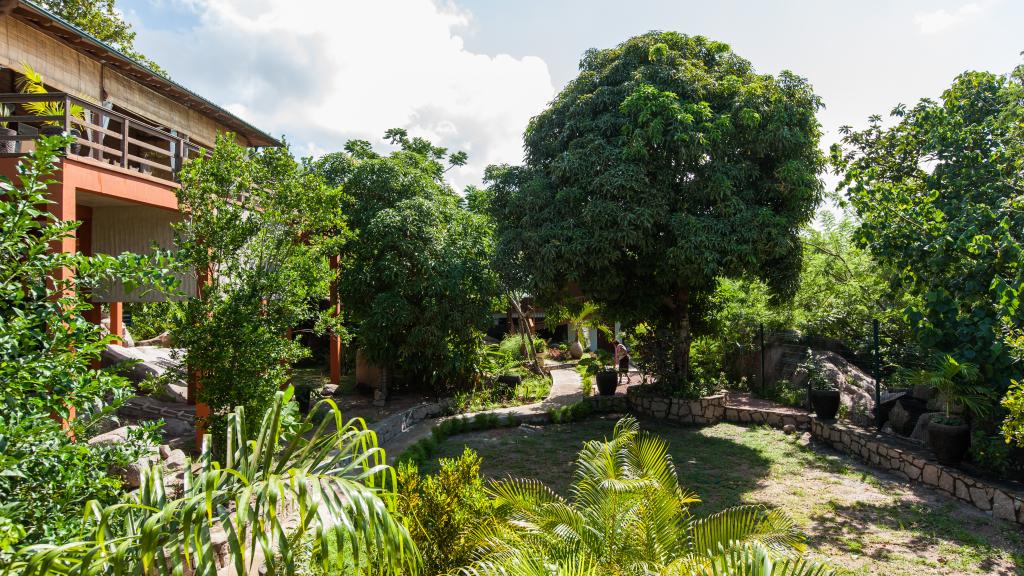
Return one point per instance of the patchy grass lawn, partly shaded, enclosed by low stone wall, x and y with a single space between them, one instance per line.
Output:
862 521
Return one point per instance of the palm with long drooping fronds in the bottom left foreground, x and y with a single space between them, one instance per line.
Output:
328 486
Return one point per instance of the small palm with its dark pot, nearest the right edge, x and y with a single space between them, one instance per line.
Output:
950 435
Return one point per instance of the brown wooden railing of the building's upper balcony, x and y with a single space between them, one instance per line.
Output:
101 135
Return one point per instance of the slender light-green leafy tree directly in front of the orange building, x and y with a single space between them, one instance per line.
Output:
257 221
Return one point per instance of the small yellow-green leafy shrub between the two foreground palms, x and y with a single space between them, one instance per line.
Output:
444 511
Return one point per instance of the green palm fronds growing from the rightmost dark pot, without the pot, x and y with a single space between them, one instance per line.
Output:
956 382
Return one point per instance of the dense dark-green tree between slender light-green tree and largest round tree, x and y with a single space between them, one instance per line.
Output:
418 281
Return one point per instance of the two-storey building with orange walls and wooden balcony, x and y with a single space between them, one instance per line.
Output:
135 129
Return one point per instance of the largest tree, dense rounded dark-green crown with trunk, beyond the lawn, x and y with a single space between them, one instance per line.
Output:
668 163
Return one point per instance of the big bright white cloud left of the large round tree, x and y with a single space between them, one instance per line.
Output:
323 73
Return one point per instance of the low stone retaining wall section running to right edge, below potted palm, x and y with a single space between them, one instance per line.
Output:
917 466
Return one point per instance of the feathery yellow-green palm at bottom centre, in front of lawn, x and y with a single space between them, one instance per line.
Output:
629 516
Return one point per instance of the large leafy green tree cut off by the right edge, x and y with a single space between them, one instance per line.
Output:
940 198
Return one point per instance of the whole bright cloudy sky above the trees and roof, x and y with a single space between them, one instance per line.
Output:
471 74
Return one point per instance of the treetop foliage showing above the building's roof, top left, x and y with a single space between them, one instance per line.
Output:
103 20
